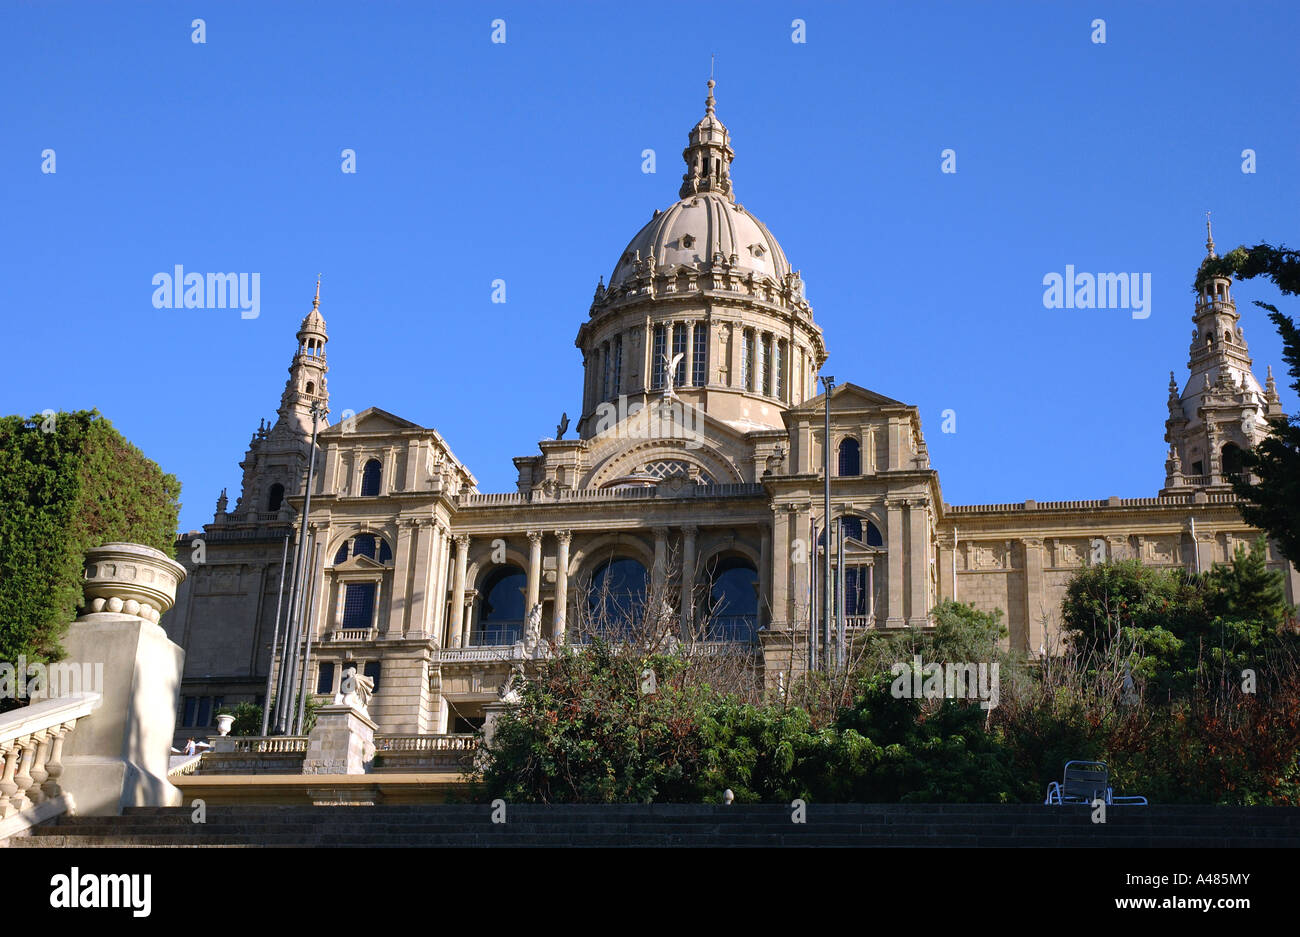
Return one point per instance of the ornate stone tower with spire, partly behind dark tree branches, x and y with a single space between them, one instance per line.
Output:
1221 410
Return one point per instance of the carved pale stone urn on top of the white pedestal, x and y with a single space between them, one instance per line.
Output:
131 579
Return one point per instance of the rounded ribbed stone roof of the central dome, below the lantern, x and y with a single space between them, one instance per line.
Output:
695 232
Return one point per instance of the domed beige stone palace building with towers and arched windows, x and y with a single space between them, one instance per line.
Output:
692 493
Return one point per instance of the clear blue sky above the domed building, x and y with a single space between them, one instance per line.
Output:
523 162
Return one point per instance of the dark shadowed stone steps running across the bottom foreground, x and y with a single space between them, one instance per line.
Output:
678 826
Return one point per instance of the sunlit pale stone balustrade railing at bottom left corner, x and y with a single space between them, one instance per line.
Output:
32 748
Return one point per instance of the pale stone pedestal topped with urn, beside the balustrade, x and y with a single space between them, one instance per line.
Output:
120 757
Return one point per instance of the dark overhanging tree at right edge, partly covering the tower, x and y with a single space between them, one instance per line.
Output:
1273 502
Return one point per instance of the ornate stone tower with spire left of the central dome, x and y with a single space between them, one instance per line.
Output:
276 462
